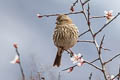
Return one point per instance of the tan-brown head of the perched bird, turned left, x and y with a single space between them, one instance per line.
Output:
63 19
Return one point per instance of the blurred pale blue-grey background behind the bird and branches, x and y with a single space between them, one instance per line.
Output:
19 23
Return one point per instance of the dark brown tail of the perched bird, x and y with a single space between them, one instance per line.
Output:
57 61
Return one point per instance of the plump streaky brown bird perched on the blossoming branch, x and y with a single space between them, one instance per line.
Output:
65 36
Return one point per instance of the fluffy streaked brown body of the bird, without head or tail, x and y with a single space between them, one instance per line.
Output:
65 36
